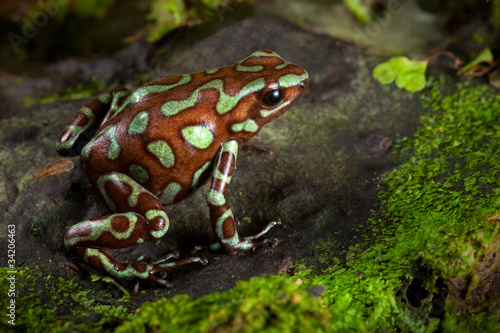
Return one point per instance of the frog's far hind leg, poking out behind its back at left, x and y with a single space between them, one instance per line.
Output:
87 120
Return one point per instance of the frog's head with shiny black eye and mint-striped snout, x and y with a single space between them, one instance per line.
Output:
273 86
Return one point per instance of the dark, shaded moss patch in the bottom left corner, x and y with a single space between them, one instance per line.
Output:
63 305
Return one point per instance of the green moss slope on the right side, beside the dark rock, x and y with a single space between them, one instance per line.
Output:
433 215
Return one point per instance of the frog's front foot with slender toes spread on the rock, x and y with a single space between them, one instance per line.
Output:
245 243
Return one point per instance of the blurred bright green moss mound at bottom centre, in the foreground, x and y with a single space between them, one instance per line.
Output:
262 304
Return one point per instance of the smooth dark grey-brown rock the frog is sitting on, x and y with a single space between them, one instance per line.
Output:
322 179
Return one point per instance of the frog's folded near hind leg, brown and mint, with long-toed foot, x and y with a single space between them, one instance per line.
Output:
139 217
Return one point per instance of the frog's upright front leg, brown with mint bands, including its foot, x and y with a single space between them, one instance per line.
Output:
221 217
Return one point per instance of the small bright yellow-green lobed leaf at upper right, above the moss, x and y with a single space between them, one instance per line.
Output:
409 74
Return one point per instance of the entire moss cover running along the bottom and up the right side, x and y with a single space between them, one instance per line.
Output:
432 227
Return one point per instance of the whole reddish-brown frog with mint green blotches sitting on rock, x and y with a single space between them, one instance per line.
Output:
158 144
